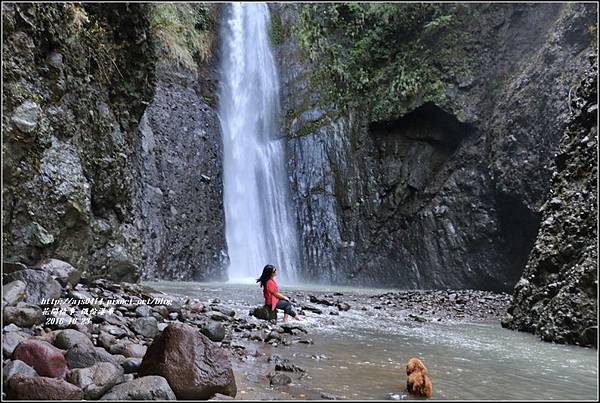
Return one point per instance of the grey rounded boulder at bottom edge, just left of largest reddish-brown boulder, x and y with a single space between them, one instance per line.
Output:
145 388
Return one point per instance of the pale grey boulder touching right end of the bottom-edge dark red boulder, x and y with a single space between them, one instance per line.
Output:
96 380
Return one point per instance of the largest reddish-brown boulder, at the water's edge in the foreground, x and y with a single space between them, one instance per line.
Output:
194 366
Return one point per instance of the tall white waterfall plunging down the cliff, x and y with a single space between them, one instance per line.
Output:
258 222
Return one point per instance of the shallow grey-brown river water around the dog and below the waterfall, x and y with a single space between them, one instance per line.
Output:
362 354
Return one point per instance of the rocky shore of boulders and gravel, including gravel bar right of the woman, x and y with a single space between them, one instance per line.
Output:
68 337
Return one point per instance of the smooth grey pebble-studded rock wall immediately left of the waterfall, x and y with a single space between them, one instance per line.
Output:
179 192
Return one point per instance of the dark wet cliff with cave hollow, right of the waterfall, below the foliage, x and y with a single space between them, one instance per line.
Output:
447 195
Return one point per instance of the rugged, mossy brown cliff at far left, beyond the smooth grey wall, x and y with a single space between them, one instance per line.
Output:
68 129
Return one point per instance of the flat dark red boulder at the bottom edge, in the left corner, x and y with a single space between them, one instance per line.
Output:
42 388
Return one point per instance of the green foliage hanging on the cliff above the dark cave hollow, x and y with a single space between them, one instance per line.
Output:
374 55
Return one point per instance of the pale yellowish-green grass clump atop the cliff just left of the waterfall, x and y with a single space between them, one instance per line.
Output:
184 31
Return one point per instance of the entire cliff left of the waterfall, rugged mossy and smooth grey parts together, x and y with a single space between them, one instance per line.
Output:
109 178
